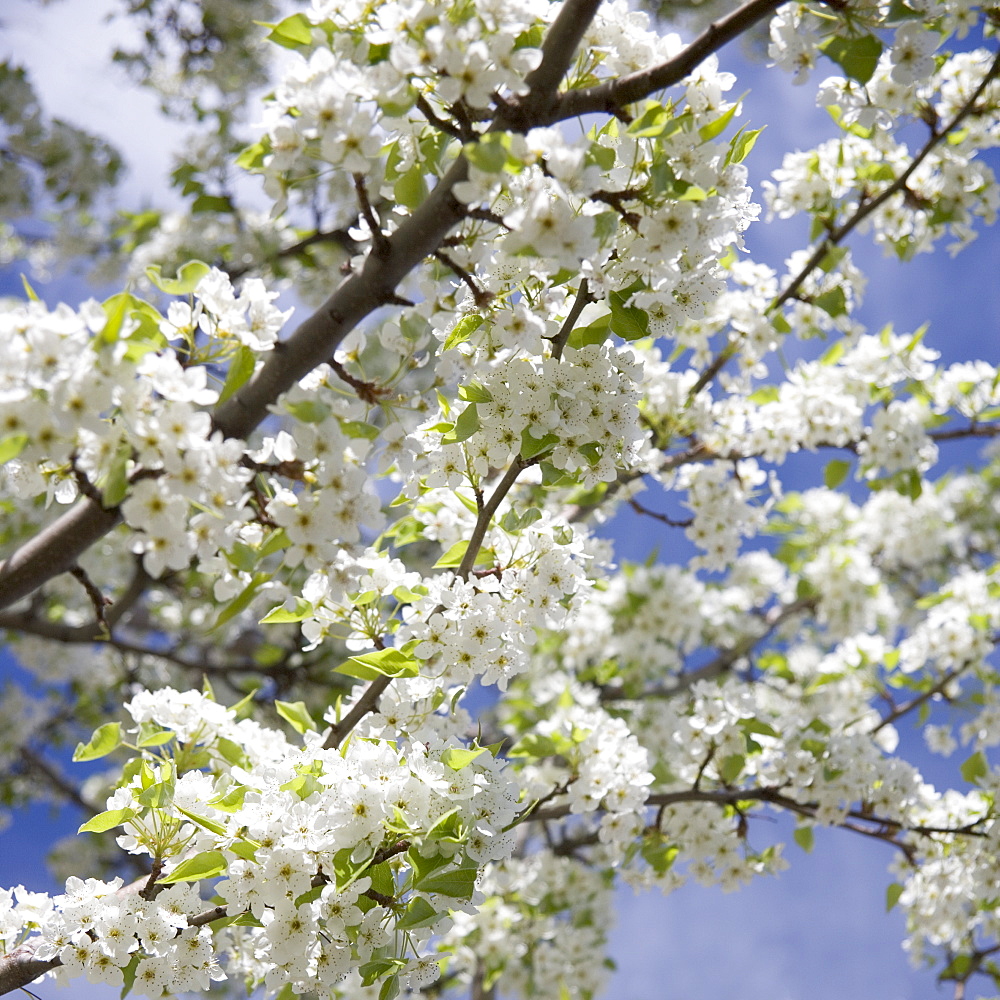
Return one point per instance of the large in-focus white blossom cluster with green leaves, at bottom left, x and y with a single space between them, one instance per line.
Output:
332 858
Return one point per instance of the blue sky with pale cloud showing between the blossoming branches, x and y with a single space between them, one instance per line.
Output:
819 931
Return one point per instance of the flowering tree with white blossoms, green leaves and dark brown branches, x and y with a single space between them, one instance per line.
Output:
381 712
